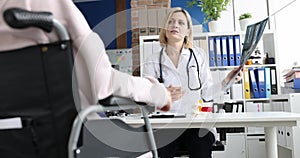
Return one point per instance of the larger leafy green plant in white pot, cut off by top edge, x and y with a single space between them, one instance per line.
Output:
212 9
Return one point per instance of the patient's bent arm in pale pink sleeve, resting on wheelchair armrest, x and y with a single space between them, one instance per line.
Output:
98 80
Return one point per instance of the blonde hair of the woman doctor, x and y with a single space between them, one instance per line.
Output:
162 36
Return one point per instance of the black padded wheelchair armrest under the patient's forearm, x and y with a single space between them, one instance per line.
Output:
118 101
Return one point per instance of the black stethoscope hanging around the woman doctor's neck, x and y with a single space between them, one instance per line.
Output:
161 79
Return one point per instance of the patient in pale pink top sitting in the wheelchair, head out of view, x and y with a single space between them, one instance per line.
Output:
97 79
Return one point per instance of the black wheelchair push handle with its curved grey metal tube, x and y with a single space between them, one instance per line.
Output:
19 18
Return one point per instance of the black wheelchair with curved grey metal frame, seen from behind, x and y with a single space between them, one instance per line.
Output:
38 89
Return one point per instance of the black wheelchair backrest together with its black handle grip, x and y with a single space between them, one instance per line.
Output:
36 85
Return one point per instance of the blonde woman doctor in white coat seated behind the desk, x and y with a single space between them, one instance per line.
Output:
184 70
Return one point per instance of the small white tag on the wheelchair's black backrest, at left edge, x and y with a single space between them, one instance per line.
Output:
11 123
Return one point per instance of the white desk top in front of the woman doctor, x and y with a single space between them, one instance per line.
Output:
204 120
